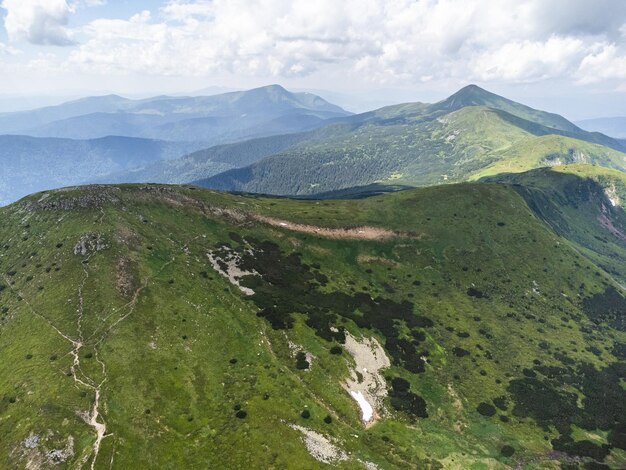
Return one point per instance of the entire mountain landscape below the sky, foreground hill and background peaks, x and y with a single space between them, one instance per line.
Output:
419 286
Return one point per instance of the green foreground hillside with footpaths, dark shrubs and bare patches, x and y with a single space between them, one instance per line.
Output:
125 343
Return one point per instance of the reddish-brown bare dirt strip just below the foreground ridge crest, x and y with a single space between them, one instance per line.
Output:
355 233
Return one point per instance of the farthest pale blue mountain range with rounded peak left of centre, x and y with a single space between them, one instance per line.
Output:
215 119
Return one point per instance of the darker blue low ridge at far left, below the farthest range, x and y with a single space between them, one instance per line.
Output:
31 164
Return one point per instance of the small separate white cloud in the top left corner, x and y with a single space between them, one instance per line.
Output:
41 22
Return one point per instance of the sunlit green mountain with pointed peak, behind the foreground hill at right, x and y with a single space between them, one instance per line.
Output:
471 134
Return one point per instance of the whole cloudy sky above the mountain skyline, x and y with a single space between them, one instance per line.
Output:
566 56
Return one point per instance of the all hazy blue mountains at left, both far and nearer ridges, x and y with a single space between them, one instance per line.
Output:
91 138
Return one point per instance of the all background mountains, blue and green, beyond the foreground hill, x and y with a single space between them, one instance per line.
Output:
272 141
